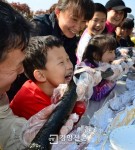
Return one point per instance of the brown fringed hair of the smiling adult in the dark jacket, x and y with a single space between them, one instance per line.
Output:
84 8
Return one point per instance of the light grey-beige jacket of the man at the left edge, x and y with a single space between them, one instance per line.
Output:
10 127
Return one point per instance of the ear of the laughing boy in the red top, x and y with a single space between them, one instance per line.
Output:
39 75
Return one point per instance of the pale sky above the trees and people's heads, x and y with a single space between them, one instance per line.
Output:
46 4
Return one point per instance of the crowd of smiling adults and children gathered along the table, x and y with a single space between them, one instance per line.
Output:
38 55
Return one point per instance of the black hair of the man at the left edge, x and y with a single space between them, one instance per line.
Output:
14 30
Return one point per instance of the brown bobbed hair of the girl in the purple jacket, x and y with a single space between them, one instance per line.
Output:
97 46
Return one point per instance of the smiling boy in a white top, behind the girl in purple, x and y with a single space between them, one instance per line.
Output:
94 26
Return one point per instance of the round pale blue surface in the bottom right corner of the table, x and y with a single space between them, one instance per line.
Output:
123 138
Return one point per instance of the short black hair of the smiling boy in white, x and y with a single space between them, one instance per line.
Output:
100 8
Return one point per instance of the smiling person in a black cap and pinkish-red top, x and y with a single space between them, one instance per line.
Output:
116 12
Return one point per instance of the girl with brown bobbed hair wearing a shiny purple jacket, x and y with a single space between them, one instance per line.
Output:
100 49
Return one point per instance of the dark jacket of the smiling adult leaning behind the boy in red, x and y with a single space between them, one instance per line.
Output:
47 25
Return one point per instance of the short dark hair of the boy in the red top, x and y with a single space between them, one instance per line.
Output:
36 53
